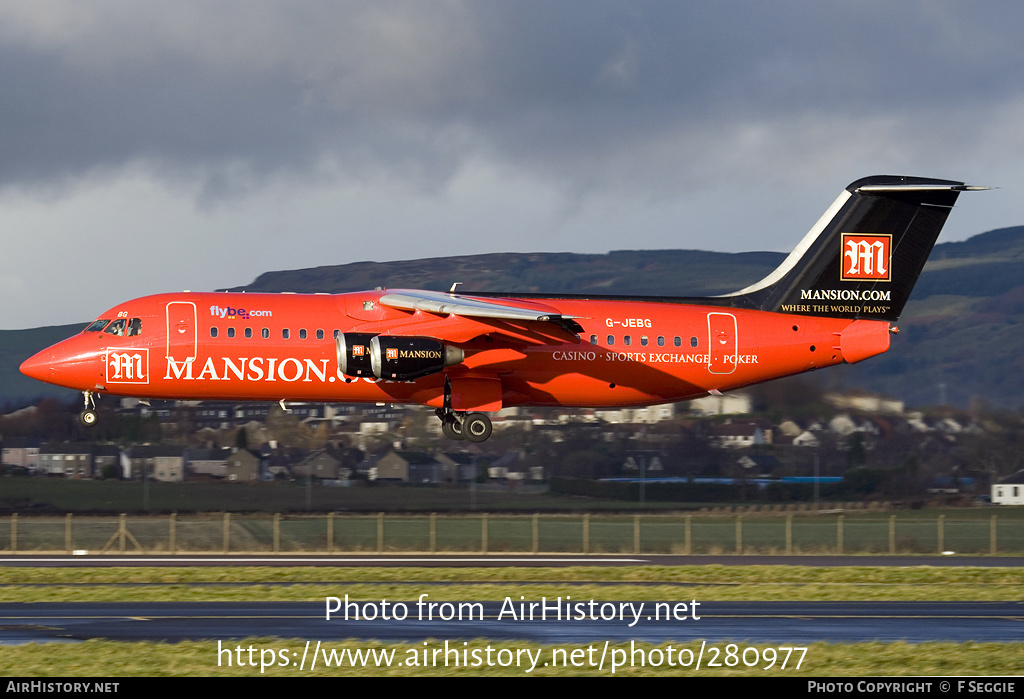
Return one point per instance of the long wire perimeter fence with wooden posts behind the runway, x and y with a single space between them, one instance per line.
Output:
485 534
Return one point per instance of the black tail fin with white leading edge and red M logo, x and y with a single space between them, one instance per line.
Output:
866 253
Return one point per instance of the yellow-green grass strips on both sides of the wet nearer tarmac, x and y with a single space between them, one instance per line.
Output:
630 584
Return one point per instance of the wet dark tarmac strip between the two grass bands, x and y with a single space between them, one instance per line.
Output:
775 623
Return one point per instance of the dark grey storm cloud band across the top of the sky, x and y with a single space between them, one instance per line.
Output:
409 91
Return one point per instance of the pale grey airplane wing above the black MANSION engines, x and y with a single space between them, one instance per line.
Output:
454 304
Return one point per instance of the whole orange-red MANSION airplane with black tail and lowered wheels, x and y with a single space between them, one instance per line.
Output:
833 300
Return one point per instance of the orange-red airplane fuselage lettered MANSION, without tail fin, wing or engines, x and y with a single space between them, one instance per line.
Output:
282 347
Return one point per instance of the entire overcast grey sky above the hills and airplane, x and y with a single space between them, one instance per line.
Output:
148 148
